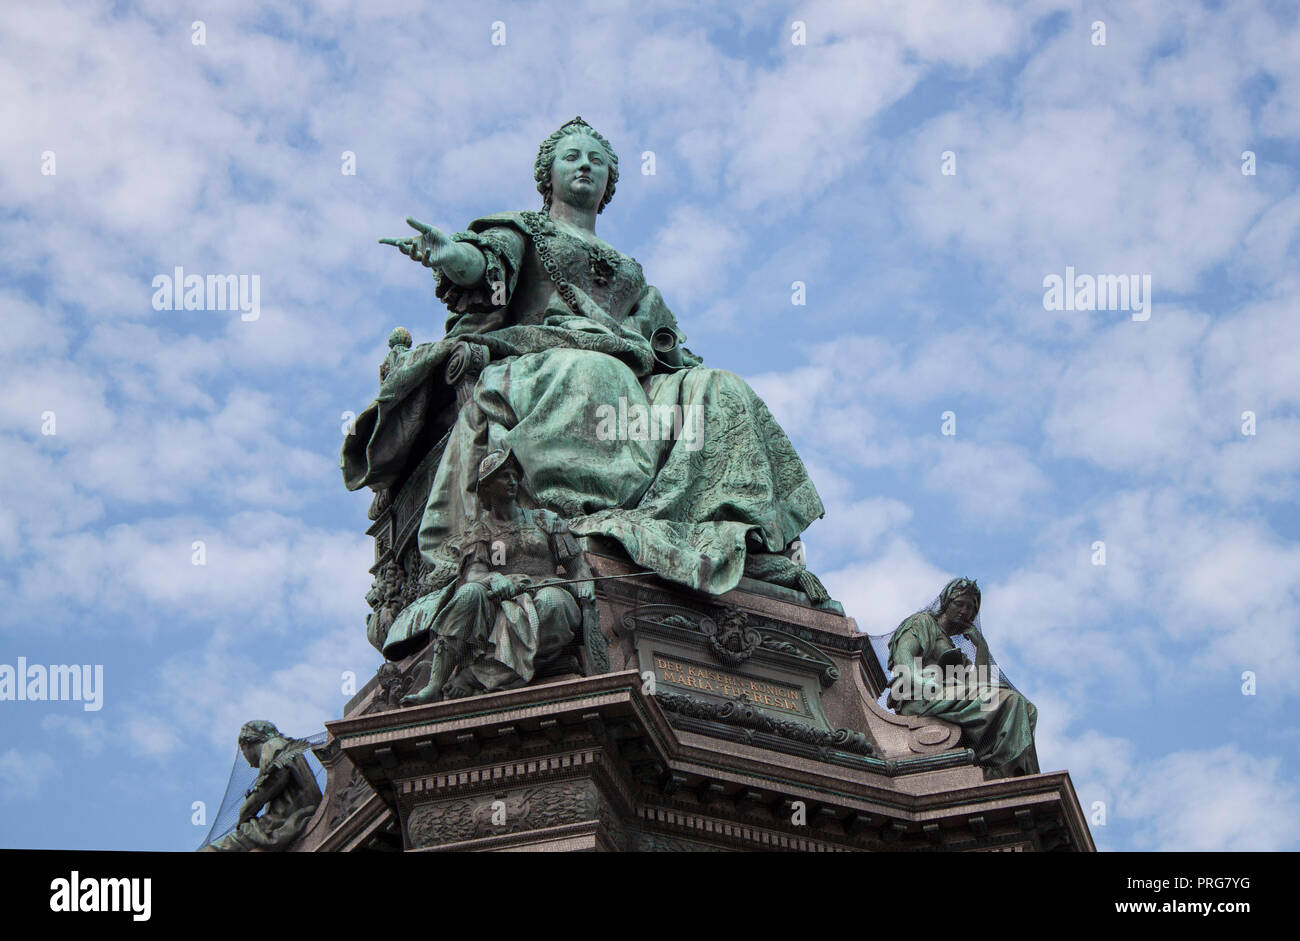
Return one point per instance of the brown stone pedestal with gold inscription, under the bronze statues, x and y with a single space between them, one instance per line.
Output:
735 723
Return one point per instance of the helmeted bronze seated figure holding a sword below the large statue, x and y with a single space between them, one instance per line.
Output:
501 621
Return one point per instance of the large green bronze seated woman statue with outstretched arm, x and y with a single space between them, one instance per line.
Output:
618 428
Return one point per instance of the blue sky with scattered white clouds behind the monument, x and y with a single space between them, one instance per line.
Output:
774 163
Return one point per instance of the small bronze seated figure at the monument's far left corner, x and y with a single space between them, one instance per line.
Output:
285 793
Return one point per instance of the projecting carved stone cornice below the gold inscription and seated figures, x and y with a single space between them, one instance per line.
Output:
658 784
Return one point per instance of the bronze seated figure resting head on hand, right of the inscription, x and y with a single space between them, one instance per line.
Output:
934 678
